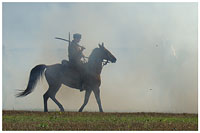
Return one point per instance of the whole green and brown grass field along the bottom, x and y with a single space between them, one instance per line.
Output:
29 120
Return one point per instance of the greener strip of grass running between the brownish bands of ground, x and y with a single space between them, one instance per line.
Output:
96 118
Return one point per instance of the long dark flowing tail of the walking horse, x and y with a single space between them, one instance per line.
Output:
35 75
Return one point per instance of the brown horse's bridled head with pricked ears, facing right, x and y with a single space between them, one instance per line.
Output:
106 55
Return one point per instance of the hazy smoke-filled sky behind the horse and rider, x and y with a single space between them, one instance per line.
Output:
155 45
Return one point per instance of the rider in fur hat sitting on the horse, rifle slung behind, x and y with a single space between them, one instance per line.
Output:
75 54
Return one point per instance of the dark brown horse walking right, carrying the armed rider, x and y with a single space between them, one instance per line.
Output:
65 73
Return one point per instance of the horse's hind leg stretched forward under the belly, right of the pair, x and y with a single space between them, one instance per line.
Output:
52 94
